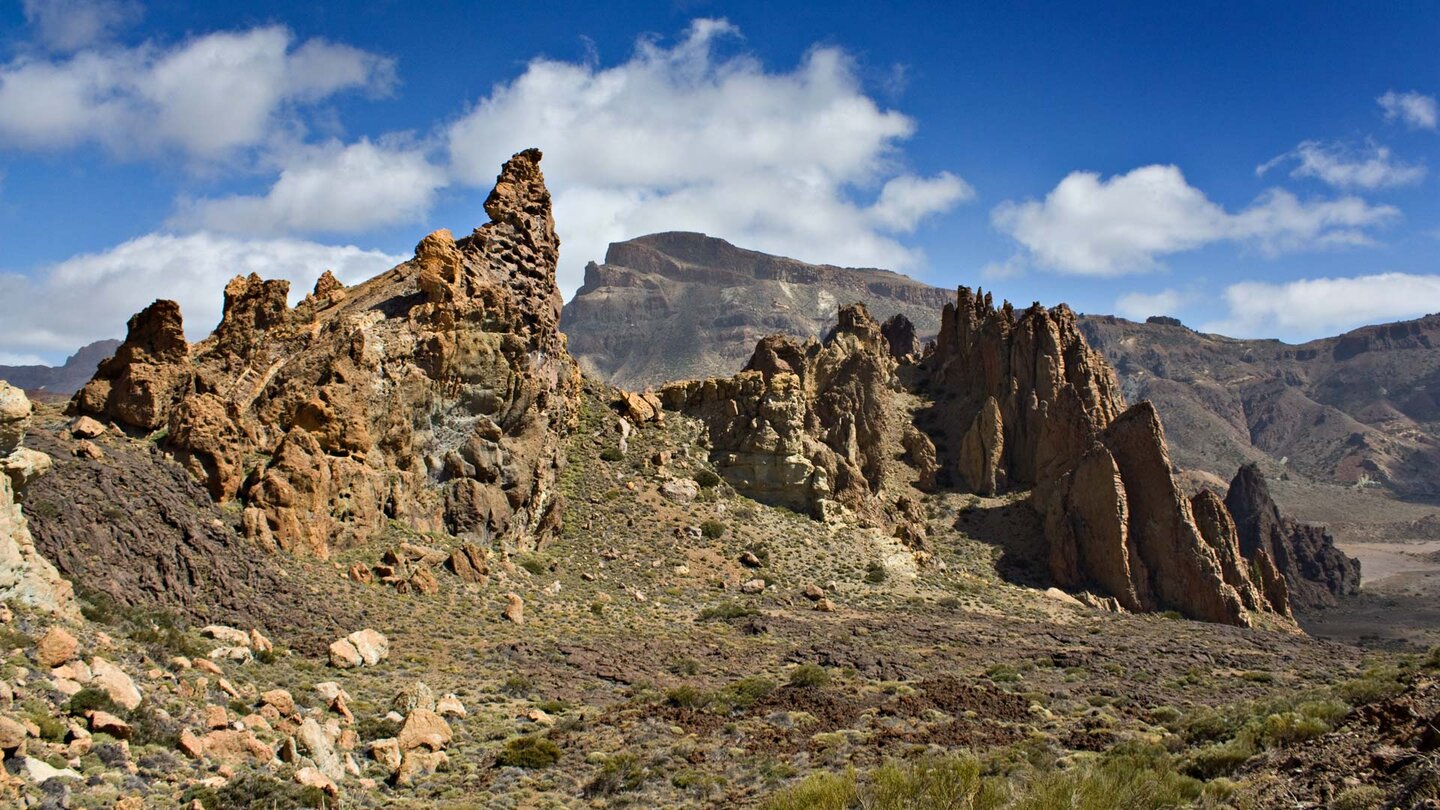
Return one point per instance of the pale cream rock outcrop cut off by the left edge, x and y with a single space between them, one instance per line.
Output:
27 576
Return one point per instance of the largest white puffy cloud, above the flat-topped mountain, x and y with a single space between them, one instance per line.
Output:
683 138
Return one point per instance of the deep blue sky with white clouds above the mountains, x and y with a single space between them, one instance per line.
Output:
1258 169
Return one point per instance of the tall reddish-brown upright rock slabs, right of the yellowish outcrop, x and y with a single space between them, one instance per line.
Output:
1022 401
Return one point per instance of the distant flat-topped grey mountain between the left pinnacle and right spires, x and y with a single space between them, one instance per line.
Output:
688 306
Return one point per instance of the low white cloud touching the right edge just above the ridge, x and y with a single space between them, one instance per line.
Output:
1324 306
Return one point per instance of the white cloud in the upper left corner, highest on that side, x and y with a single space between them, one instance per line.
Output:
207 97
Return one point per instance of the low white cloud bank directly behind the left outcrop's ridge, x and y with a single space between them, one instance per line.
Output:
91 296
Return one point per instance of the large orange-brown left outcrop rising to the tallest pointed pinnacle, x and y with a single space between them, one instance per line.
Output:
436 394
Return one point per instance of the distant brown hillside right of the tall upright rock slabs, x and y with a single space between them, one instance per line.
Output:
1363 407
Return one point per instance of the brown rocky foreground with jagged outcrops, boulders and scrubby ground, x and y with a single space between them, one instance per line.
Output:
516 587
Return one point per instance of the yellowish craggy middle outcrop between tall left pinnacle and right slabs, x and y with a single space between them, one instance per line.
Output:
807 426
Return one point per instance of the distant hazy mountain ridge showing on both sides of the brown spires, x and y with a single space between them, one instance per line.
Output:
1360 407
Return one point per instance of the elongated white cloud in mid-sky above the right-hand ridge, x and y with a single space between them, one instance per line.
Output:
1107 227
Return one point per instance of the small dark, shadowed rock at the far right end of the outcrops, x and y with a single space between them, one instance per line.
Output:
1314 570
